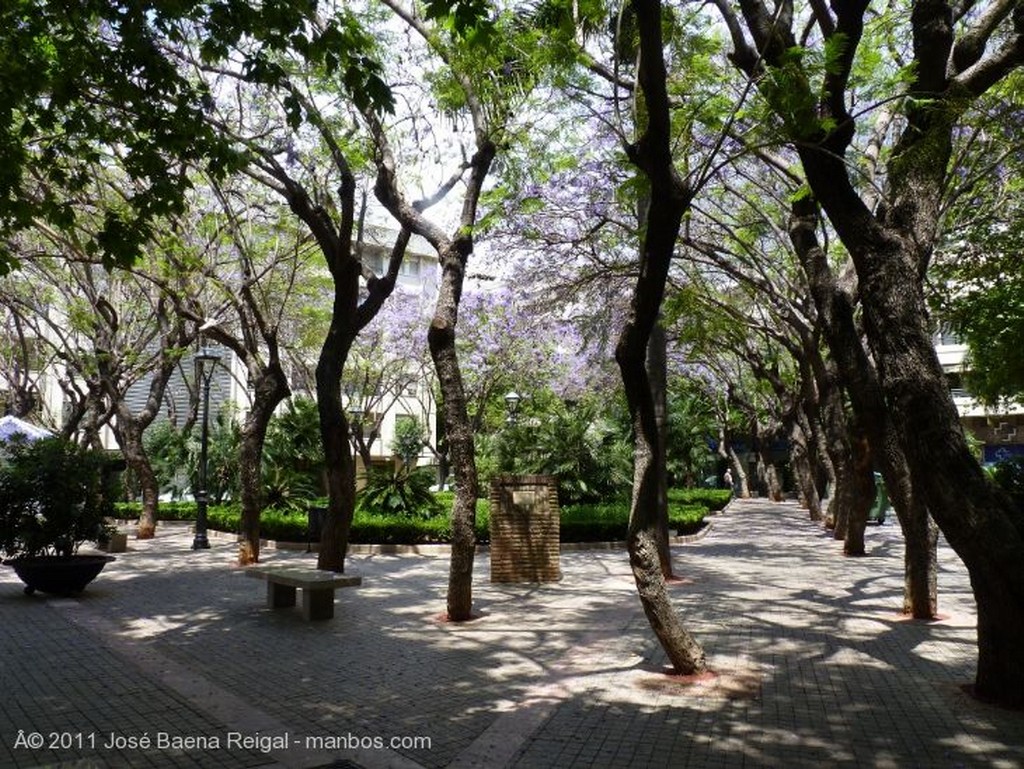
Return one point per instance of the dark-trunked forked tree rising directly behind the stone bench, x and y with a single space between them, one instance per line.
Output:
311 83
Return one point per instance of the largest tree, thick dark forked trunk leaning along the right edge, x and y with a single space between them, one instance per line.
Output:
891 244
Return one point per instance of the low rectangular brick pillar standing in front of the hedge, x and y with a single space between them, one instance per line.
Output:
525 529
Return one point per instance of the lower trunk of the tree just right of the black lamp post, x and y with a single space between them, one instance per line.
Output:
272 389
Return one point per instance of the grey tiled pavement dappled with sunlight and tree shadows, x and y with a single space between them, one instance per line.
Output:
170 660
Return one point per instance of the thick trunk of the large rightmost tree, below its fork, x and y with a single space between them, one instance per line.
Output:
976 518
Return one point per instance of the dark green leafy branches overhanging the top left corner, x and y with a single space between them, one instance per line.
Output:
94 84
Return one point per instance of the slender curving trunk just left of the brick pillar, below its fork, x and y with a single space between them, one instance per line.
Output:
458 432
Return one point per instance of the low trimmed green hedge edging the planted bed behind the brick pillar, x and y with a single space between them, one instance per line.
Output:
582 523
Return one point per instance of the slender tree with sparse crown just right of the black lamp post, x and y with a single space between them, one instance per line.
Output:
234 277
